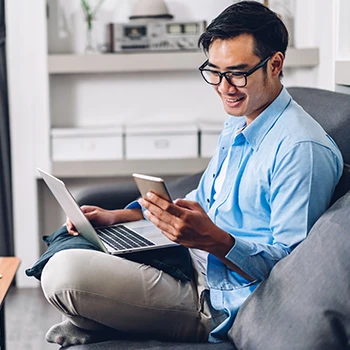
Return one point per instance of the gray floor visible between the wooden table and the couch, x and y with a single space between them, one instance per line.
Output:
28 317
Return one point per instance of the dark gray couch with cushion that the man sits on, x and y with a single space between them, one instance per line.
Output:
304 304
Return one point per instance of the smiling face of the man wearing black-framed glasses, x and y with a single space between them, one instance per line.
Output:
237 55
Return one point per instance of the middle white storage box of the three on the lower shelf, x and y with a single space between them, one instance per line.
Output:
161 141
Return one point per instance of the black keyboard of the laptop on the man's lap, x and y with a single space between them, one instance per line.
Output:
120 238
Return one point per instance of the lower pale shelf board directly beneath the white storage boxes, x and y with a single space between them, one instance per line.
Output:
127 167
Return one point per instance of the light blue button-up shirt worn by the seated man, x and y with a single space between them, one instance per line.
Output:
281 174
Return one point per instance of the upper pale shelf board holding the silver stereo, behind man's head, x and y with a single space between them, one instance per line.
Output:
160 61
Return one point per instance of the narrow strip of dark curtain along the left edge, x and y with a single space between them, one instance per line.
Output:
6 223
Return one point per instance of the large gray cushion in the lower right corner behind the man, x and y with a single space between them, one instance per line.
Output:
304 303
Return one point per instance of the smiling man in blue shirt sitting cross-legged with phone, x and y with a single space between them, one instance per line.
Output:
272 176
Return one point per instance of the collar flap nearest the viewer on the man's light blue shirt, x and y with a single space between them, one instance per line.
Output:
257 130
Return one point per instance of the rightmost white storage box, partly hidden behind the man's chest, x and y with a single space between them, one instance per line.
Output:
209 135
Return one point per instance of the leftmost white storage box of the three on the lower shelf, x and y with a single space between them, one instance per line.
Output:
76 144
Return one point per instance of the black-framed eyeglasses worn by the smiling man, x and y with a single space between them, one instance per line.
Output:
237 79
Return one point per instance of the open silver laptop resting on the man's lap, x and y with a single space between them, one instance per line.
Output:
116 239
